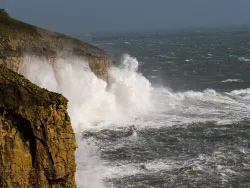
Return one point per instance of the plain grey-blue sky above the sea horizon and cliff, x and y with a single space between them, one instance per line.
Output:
85 16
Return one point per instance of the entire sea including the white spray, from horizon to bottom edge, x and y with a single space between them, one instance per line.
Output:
175 112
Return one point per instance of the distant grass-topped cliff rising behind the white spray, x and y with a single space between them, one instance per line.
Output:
18 38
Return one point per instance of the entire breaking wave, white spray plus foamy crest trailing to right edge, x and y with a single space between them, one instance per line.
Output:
129 99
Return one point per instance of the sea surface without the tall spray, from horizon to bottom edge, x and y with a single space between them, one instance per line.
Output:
202 137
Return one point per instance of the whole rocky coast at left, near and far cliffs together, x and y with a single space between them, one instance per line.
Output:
37 142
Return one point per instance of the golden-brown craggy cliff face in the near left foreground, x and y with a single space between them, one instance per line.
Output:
37 143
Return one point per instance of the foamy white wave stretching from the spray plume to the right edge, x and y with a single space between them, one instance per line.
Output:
199 106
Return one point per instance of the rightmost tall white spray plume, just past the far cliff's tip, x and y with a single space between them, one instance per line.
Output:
132 91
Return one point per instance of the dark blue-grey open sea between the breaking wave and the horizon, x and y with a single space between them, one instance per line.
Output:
188 59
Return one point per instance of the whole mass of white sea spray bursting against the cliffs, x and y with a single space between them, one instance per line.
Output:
92 102
